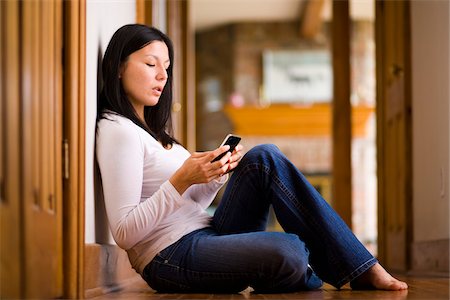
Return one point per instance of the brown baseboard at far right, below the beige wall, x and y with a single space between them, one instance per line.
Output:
430 258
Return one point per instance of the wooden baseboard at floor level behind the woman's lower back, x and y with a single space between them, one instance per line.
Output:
107 269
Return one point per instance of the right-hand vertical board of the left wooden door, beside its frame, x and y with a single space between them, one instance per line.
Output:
42 142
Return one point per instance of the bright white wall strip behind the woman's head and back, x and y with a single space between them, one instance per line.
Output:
103 18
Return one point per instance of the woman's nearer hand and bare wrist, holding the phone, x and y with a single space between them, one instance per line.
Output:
199 168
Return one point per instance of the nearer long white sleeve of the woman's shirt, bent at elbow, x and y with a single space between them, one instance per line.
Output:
120 154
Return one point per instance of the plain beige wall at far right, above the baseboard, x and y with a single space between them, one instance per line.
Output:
431 114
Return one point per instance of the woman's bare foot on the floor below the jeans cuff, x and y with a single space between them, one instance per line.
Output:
377 278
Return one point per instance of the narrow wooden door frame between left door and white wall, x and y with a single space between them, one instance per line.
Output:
74 133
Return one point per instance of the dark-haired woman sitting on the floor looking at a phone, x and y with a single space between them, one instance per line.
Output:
156 194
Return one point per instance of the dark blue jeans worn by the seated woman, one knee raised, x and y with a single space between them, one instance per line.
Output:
236 252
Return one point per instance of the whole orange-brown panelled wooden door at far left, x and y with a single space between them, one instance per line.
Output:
32 223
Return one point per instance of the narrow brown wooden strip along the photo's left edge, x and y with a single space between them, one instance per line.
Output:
11 226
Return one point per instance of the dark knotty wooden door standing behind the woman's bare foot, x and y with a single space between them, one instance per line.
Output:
394 132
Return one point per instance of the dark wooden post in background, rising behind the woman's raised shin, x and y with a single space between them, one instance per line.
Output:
342 176
